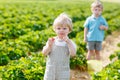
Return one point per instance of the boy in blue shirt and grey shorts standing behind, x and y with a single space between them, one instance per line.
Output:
94 28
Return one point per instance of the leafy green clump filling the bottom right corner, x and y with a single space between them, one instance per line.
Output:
111 72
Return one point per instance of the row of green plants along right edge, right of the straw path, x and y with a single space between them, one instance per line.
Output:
111 71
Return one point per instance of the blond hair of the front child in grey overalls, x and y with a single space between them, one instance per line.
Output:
63 20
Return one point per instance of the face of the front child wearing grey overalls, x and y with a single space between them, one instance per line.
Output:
62 31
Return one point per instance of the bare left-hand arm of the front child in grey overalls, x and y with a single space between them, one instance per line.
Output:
47 48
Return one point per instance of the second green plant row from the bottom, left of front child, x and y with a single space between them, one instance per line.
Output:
15 49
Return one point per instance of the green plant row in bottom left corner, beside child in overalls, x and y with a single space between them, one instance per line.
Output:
29 68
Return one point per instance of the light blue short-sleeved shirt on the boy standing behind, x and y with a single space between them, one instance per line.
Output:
94 32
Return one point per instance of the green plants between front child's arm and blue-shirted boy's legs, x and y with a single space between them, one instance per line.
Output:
79 61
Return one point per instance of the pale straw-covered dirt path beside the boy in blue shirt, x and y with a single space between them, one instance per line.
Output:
109 46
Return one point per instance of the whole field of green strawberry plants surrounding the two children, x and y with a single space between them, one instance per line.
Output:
25 27
